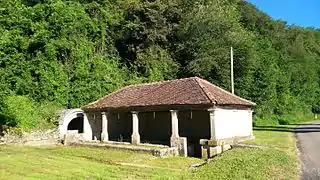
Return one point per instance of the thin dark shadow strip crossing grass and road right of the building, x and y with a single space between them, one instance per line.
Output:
302 128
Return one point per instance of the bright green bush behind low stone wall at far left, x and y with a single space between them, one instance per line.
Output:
24 114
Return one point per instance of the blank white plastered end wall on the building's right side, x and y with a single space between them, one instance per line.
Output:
231 123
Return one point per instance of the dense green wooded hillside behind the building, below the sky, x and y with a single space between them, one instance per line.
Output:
73 52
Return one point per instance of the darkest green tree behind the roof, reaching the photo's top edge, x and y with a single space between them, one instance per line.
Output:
146 30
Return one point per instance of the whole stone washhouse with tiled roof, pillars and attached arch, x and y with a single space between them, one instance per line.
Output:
192 114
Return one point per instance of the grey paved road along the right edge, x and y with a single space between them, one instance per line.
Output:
308 143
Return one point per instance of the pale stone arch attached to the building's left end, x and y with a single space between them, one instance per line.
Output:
70 115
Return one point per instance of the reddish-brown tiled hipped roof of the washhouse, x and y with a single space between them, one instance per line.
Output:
188 91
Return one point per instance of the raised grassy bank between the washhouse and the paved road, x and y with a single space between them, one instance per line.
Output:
279 162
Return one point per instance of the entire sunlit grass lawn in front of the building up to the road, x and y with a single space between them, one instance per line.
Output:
278 162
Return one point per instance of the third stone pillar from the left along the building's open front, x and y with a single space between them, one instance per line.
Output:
174 139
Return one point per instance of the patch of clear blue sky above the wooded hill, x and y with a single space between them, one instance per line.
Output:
304 13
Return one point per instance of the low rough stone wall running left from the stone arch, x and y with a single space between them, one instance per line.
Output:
34 138
